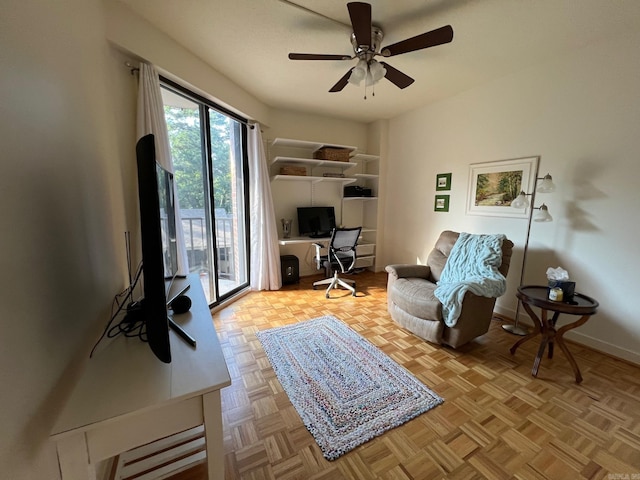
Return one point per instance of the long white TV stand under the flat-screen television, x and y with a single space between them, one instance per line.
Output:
126 397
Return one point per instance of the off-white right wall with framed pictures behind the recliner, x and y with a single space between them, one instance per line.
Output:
581 115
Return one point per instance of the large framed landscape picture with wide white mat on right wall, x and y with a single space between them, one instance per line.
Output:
494 185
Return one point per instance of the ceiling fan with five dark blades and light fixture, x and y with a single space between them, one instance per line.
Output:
366 39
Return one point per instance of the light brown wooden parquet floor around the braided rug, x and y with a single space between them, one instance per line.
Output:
497 421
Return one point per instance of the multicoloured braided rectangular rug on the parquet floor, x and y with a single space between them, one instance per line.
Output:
345 389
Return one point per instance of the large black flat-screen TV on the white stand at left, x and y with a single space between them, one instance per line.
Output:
158 235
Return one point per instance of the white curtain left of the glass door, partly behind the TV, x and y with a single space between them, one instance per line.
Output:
151 120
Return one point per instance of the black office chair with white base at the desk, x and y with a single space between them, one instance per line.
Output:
340 258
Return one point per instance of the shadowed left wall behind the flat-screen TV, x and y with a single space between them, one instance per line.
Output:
63 221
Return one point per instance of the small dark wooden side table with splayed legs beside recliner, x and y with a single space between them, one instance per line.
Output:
533 295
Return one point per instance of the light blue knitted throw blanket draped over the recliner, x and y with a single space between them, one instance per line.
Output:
472 266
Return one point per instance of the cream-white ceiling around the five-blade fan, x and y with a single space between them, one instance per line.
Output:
248 41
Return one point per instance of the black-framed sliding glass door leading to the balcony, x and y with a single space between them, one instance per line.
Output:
208 149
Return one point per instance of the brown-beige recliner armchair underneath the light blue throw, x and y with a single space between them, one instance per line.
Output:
412 303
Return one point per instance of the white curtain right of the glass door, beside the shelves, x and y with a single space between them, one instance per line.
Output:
265 253
